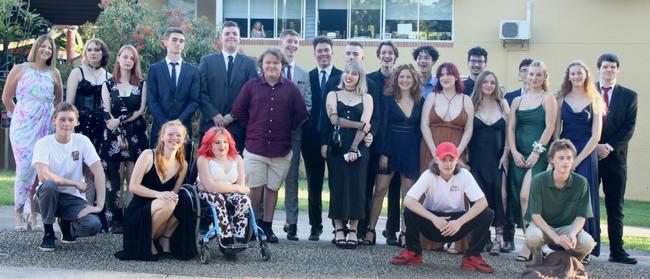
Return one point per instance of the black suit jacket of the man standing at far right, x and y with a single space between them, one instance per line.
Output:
619 125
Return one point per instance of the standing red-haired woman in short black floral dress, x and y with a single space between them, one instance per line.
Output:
124 97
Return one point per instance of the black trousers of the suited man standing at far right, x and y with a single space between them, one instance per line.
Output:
613 174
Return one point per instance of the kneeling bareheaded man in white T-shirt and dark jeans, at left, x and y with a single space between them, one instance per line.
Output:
58 160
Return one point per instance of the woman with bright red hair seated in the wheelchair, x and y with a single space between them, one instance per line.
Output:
222 180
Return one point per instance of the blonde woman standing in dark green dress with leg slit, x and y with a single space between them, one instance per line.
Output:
530 128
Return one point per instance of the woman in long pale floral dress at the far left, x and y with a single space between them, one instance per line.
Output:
36 84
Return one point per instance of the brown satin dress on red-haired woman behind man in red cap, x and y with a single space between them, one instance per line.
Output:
441 131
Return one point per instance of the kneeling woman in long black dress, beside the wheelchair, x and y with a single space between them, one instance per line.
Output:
150 219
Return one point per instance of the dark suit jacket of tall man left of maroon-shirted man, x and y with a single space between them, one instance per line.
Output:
217 93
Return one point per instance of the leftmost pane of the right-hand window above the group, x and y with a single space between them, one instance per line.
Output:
333 18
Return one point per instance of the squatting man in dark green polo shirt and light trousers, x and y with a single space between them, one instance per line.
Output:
558 205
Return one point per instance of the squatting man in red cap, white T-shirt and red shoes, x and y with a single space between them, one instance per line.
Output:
442 217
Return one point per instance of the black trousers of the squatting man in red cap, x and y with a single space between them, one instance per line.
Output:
479 228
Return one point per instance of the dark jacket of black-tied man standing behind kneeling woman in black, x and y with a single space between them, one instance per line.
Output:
166 104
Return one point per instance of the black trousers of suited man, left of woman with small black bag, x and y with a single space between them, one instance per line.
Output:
315 171
